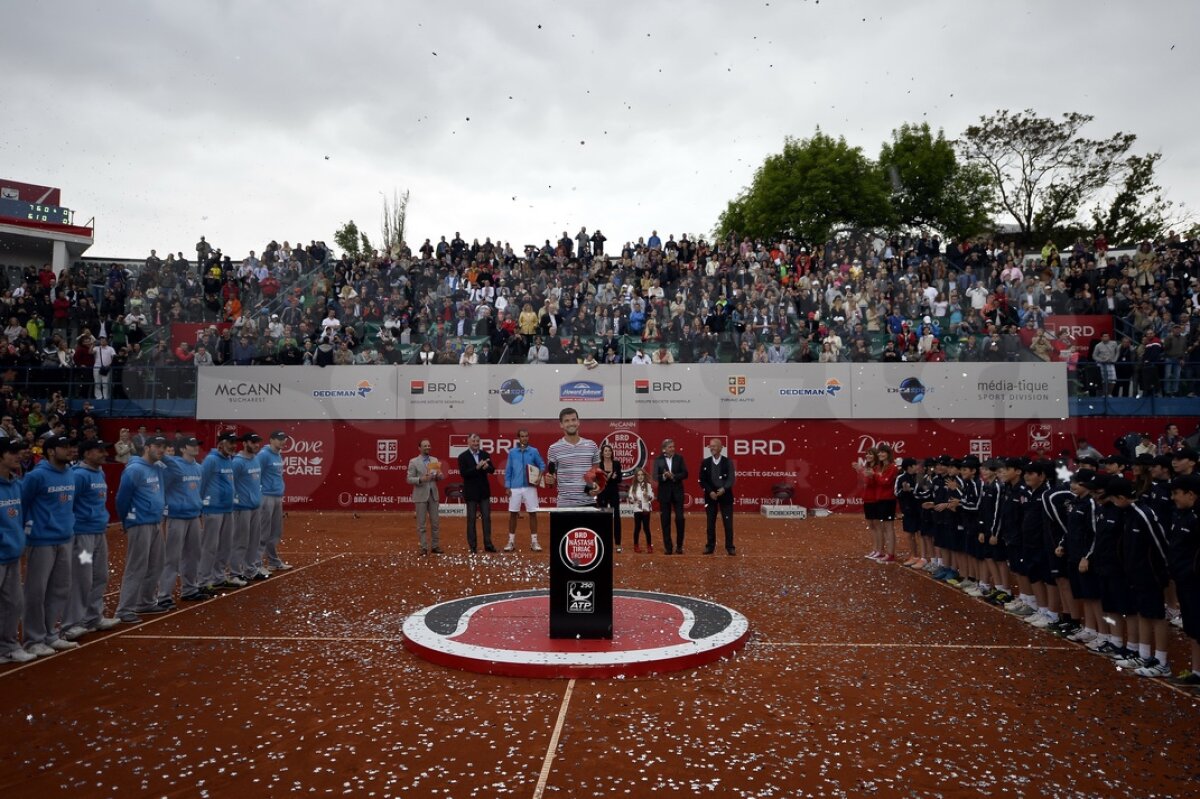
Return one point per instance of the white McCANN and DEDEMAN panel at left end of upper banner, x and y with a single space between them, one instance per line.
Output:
296 393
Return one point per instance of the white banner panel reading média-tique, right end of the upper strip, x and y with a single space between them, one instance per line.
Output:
959 391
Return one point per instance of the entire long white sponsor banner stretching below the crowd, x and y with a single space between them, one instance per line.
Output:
712 392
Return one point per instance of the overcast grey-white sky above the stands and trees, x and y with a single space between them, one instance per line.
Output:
256 121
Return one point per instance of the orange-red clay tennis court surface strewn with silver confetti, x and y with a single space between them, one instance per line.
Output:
860 680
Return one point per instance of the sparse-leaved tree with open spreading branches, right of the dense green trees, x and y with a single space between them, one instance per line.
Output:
1045 171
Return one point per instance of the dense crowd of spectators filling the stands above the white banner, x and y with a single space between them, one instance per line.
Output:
651 302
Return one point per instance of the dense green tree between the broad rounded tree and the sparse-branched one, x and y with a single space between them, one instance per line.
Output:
932 189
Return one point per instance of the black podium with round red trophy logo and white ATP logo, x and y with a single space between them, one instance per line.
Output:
580 573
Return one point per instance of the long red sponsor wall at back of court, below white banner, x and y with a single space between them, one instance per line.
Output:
363 465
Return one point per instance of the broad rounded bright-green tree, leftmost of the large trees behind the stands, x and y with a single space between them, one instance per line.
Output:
813 190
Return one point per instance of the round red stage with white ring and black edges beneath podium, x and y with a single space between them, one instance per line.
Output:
509 634
